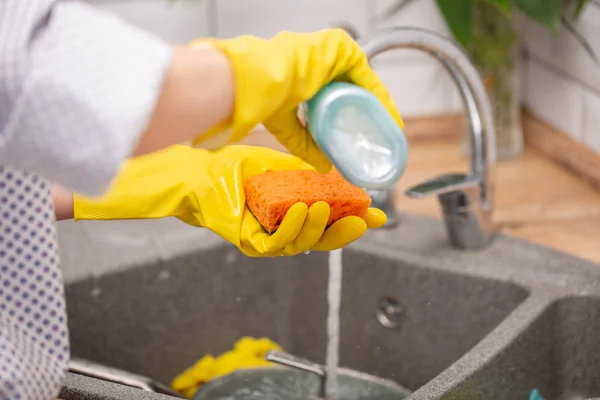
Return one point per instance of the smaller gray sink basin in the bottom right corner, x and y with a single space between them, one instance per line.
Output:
558 352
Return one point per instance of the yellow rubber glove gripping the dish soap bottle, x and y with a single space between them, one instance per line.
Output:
272 77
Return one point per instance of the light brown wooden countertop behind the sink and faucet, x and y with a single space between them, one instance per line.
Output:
536 198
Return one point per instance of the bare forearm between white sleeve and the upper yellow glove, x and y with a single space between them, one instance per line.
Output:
198 92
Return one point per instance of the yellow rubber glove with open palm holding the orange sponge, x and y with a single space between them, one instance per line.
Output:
206 189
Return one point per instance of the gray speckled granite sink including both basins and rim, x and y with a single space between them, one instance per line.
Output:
490 324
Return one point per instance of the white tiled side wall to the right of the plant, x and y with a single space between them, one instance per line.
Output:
564 81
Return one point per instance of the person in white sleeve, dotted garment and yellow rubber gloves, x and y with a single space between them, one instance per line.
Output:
82 91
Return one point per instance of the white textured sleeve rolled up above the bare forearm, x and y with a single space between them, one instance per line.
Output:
77 88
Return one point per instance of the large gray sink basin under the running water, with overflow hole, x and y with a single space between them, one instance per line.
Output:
158 319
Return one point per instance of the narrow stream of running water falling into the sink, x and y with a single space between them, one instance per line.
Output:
334 295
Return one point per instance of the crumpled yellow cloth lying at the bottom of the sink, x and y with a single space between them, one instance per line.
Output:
248 352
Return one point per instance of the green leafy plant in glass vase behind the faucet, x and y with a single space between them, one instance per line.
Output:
488 31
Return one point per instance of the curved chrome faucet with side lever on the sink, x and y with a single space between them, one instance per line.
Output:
466 199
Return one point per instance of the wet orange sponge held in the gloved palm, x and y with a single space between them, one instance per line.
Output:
270 195
